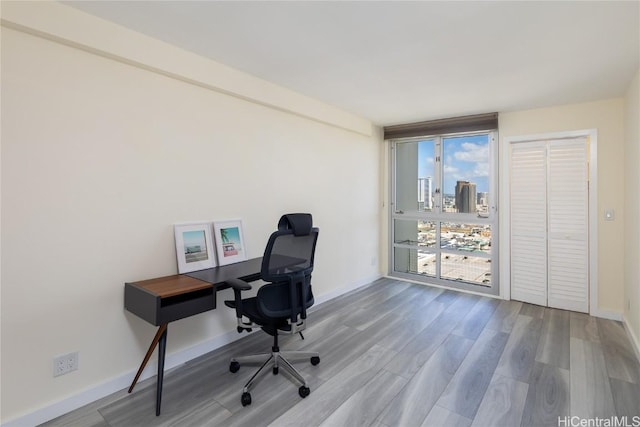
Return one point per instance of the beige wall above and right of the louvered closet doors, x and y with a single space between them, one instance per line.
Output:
607 117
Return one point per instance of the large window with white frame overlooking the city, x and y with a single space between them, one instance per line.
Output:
444 218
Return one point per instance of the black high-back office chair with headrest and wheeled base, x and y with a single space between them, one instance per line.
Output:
280 306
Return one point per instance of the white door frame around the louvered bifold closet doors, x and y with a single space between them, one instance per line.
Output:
505 217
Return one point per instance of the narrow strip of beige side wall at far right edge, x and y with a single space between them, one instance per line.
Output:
632 210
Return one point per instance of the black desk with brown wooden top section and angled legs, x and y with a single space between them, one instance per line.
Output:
165 299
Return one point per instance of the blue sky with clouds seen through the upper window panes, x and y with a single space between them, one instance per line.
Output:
464 158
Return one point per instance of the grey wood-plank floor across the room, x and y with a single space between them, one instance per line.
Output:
400 354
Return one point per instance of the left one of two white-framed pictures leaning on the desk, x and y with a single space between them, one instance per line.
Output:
194 246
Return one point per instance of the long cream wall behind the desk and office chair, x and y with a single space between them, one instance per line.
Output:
101 157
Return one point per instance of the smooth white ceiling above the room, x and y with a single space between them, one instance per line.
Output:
398 62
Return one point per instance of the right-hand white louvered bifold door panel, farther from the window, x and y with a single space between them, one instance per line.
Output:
568 225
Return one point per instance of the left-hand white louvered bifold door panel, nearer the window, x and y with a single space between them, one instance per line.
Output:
529 222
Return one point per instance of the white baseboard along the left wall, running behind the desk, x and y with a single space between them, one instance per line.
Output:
123 381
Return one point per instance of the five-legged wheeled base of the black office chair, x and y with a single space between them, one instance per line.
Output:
275 360
